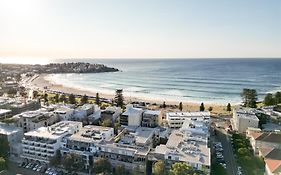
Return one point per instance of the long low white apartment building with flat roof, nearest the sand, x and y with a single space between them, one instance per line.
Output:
176 119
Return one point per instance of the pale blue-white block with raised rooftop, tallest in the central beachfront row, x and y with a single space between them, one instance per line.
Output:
132 116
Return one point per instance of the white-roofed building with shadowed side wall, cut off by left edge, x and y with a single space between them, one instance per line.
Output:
14 136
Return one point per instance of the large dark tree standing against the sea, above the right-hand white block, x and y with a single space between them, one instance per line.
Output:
249 97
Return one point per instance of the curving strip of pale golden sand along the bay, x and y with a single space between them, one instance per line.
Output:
40 82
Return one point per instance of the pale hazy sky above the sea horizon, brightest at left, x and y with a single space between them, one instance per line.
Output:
140 28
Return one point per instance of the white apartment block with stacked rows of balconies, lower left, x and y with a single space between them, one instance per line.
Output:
41 144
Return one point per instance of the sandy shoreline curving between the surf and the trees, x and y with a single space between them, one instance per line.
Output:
40 81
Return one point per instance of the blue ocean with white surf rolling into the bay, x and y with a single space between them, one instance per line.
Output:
194 80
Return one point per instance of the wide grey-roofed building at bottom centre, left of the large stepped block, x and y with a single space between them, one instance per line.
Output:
131 149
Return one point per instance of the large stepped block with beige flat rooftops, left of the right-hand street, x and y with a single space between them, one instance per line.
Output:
188 144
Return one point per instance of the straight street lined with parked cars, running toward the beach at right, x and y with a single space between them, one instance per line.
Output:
228 154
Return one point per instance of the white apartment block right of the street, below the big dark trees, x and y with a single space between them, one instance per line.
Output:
244 118
